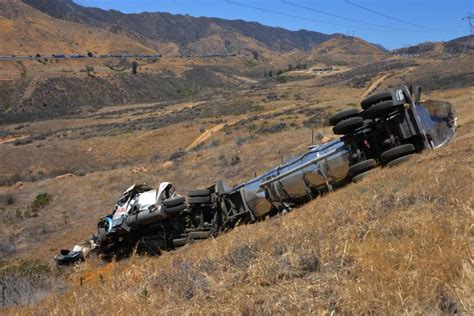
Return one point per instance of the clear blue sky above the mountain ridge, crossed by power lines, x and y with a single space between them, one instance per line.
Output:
403 22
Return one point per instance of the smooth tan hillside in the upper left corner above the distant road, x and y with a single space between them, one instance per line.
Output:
25 31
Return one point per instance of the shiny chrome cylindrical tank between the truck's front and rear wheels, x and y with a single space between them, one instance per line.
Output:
296 179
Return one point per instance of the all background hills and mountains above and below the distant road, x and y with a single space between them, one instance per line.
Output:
63 27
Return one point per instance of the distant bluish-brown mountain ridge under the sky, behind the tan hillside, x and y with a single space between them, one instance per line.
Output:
158 29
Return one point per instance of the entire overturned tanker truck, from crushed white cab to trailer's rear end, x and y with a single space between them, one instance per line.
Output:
391 127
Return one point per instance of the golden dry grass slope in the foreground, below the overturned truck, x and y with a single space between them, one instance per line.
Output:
397 242
